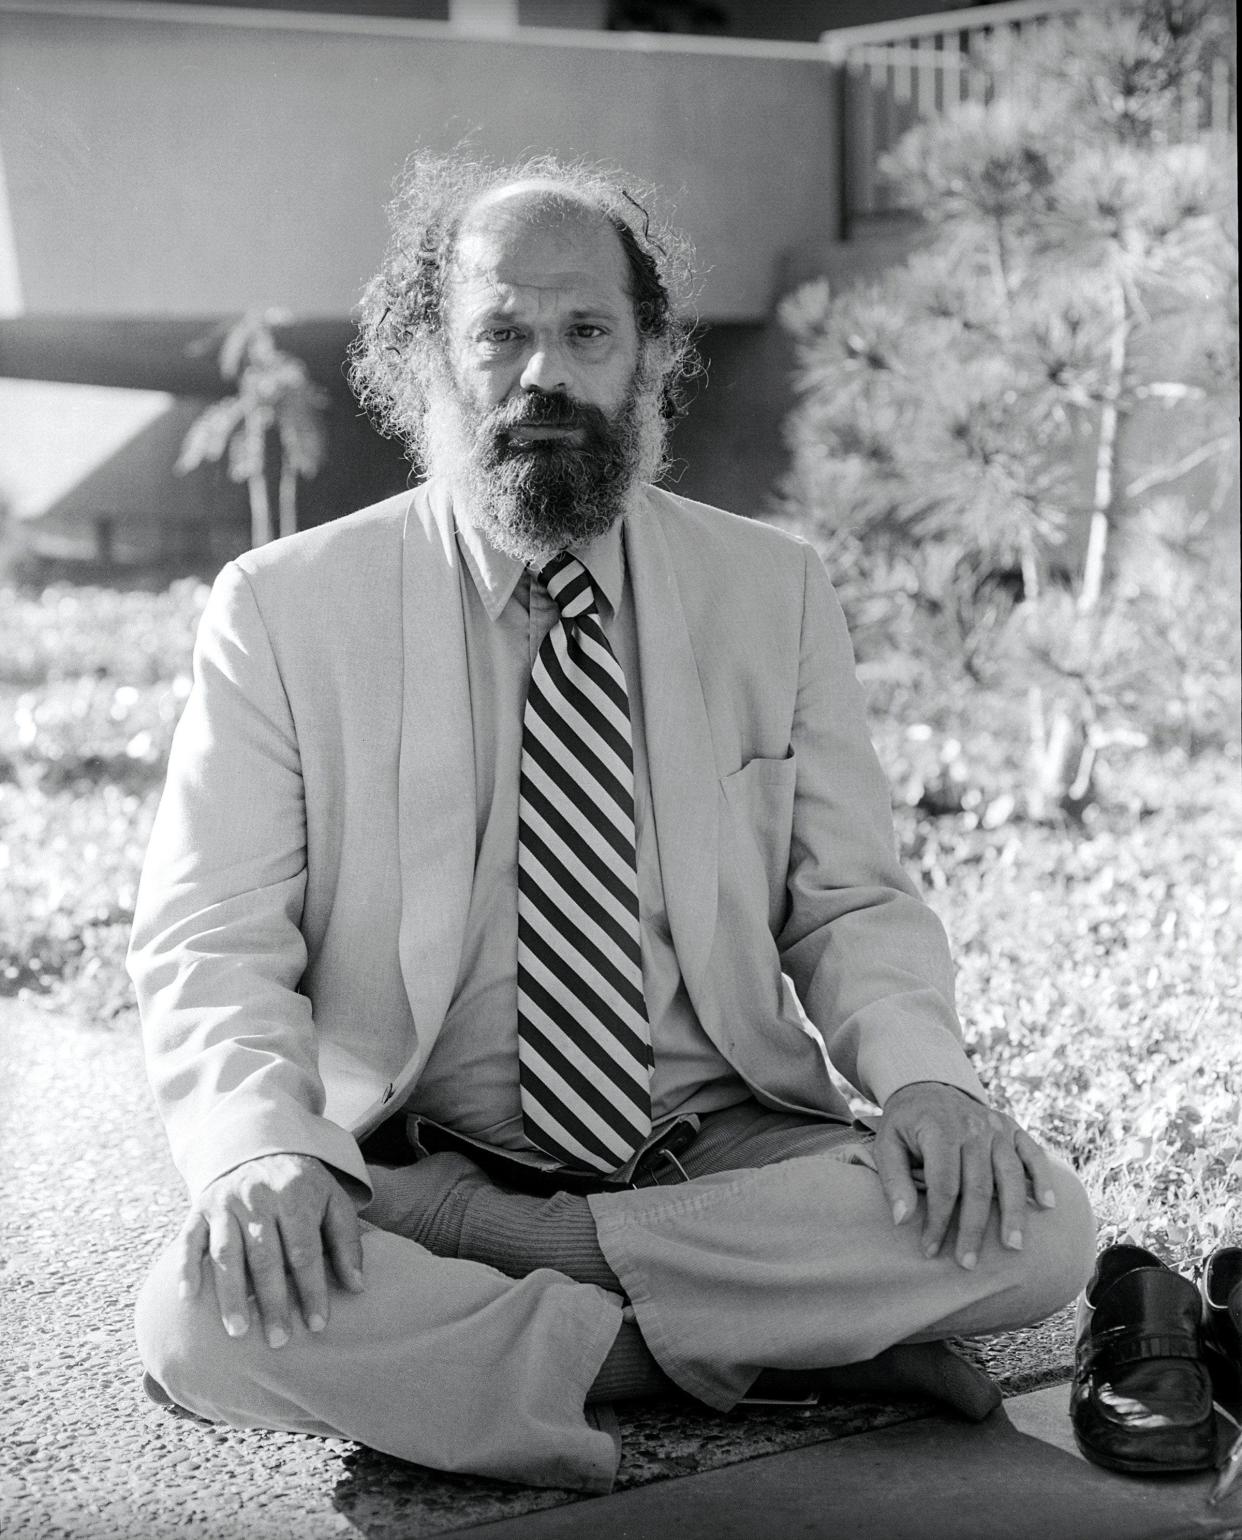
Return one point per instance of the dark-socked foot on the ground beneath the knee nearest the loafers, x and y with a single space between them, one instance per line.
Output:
910 1370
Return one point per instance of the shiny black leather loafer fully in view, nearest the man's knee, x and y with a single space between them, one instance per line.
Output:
1141 1399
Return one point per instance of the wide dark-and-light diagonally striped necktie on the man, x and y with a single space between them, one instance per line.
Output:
585 1050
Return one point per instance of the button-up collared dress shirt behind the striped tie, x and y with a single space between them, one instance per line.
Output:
471 1079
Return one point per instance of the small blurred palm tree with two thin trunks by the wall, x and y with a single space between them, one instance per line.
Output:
275 395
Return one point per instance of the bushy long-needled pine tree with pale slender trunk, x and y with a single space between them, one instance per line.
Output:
973 444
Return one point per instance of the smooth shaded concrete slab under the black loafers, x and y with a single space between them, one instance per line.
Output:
1015 1478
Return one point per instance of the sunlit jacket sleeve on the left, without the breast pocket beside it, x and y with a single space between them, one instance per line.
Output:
218 954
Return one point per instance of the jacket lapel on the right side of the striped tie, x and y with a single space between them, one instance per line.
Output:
680 758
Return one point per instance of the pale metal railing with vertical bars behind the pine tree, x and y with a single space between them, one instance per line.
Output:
896 73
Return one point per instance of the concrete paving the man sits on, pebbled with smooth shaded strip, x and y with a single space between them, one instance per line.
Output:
89 1197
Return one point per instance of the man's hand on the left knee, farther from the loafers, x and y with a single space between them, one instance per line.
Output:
263 1224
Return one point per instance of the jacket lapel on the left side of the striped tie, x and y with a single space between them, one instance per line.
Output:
437 769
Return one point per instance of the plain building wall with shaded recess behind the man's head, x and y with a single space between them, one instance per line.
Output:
167 169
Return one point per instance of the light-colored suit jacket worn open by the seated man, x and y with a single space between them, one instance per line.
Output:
303 906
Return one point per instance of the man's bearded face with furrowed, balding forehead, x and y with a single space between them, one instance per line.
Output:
542 424
